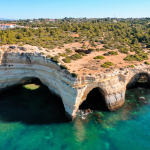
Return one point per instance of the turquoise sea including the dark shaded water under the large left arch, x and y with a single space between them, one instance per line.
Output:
31 118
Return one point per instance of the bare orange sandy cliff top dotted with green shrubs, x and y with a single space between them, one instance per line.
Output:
83 61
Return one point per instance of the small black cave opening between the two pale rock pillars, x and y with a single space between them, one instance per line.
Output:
95 101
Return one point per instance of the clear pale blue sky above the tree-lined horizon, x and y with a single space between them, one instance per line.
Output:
29 9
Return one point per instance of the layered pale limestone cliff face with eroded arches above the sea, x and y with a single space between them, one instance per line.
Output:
18 67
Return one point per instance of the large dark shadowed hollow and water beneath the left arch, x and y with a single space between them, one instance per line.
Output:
31 106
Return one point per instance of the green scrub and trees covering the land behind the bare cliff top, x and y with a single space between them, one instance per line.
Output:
127 35
